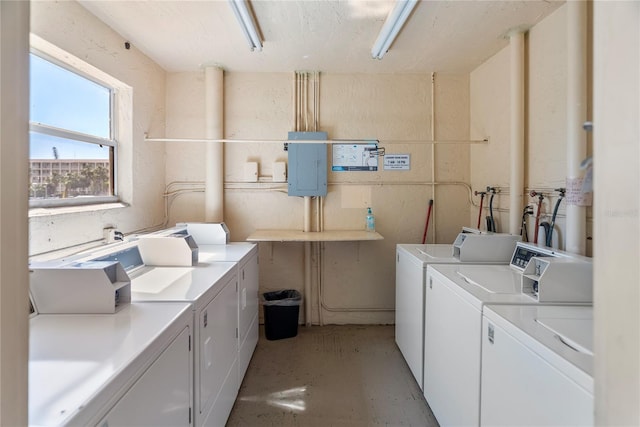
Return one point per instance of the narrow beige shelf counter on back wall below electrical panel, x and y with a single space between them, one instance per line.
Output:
313 236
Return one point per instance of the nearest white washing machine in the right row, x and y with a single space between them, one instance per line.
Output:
537 365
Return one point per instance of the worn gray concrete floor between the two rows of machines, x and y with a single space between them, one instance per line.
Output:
330 376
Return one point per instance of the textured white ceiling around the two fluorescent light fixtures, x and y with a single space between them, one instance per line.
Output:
319 35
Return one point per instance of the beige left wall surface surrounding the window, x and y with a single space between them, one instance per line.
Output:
70 27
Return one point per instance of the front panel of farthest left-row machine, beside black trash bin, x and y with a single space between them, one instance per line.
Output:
247 311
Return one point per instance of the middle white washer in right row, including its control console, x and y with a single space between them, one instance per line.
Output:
454 300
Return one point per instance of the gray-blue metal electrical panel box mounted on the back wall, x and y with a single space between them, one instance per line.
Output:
307 165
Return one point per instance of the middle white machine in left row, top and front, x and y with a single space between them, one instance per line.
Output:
211 290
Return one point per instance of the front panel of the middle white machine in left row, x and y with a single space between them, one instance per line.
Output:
218 347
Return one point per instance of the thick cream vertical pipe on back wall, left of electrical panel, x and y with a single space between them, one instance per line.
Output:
214 155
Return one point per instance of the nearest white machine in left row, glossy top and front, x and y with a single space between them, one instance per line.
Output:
132 367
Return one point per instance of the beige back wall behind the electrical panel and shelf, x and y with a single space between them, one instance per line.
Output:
391 108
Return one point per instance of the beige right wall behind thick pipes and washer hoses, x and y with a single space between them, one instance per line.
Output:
545 123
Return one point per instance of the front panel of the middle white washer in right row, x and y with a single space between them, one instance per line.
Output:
451 355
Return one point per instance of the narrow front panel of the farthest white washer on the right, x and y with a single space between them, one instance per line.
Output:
410 312
